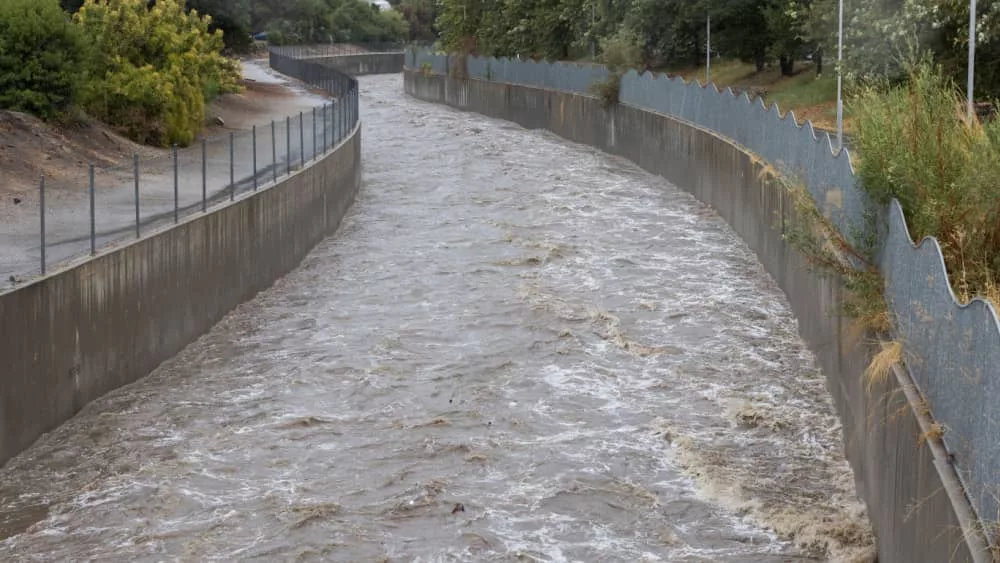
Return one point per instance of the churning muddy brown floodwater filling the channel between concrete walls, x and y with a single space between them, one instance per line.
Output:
515 348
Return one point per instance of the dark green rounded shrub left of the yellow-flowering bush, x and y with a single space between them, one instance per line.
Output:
40 57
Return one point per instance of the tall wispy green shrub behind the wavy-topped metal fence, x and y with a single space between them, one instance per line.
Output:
917 146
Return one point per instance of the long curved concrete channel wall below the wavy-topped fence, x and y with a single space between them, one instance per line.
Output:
905 487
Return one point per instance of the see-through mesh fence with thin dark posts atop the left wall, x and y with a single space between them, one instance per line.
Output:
96 207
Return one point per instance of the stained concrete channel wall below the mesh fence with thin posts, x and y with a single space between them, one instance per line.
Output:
71 337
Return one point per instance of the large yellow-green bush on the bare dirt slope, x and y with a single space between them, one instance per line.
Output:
153 68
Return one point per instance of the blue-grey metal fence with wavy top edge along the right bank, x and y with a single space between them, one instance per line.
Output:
952 349
